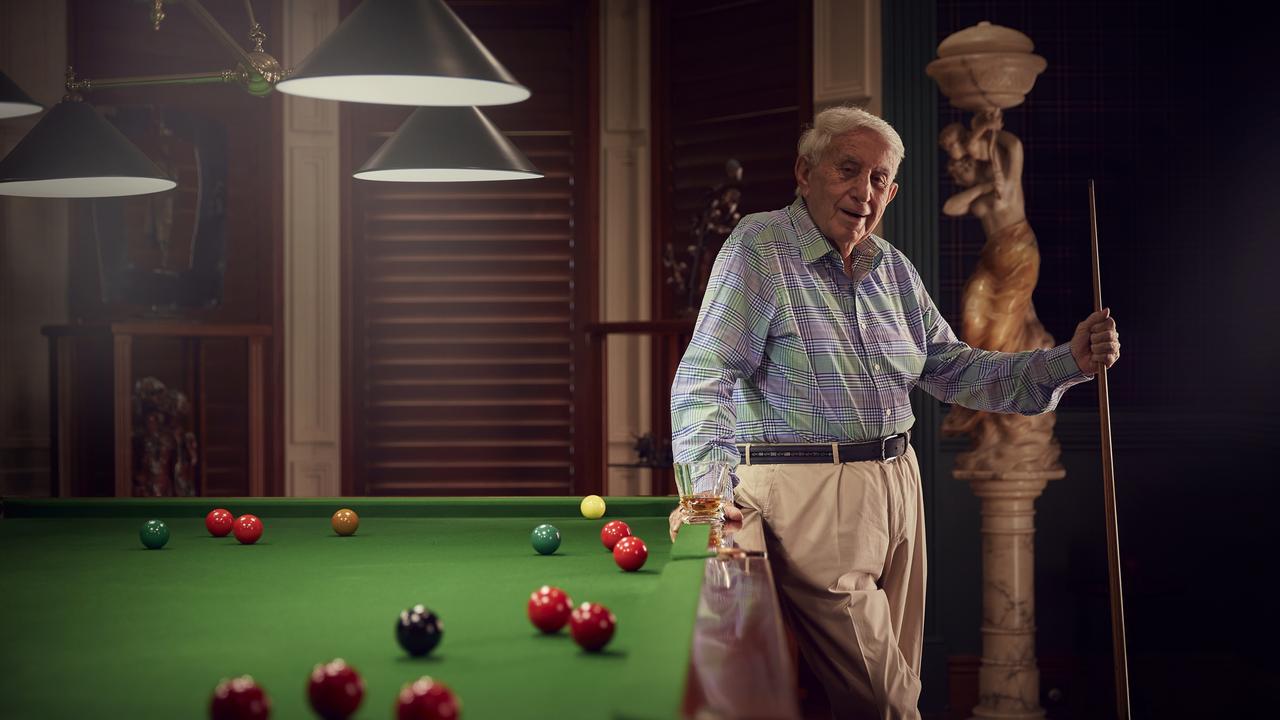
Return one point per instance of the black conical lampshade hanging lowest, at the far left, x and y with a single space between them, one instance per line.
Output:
75 153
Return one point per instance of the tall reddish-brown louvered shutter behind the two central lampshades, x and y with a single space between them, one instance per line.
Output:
464 299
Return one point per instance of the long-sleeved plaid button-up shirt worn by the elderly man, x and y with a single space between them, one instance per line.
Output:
790 349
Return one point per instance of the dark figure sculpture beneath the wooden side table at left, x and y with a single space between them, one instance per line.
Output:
164 452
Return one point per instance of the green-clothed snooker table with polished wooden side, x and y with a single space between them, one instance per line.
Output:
93 623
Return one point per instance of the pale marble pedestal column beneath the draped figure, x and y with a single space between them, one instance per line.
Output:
1008 680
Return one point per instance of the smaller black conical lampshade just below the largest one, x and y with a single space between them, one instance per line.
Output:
447 145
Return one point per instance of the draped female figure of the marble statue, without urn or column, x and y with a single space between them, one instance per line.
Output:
998 313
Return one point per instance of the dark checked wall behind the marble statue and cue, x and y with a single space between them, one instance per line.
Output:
1173 117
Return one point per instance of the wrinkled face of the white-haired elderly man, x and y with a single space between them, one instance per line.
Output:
849 190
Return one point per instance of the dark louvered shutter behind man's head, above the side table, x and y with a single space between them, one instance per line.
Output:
734 80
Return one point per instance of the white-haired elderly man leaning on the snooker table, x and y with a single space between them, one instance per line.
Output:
812 334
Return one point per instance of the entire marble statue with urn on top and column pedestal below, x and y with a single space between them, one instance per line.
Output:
989 70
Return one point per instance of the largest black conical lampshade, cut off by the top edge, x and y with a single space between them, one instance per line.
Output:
404 53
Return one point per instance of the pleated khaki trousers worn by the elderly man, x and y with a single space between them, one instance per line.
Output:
847 544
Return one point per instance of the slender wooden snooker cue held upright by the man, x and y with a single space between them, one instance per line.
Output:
1109 490
